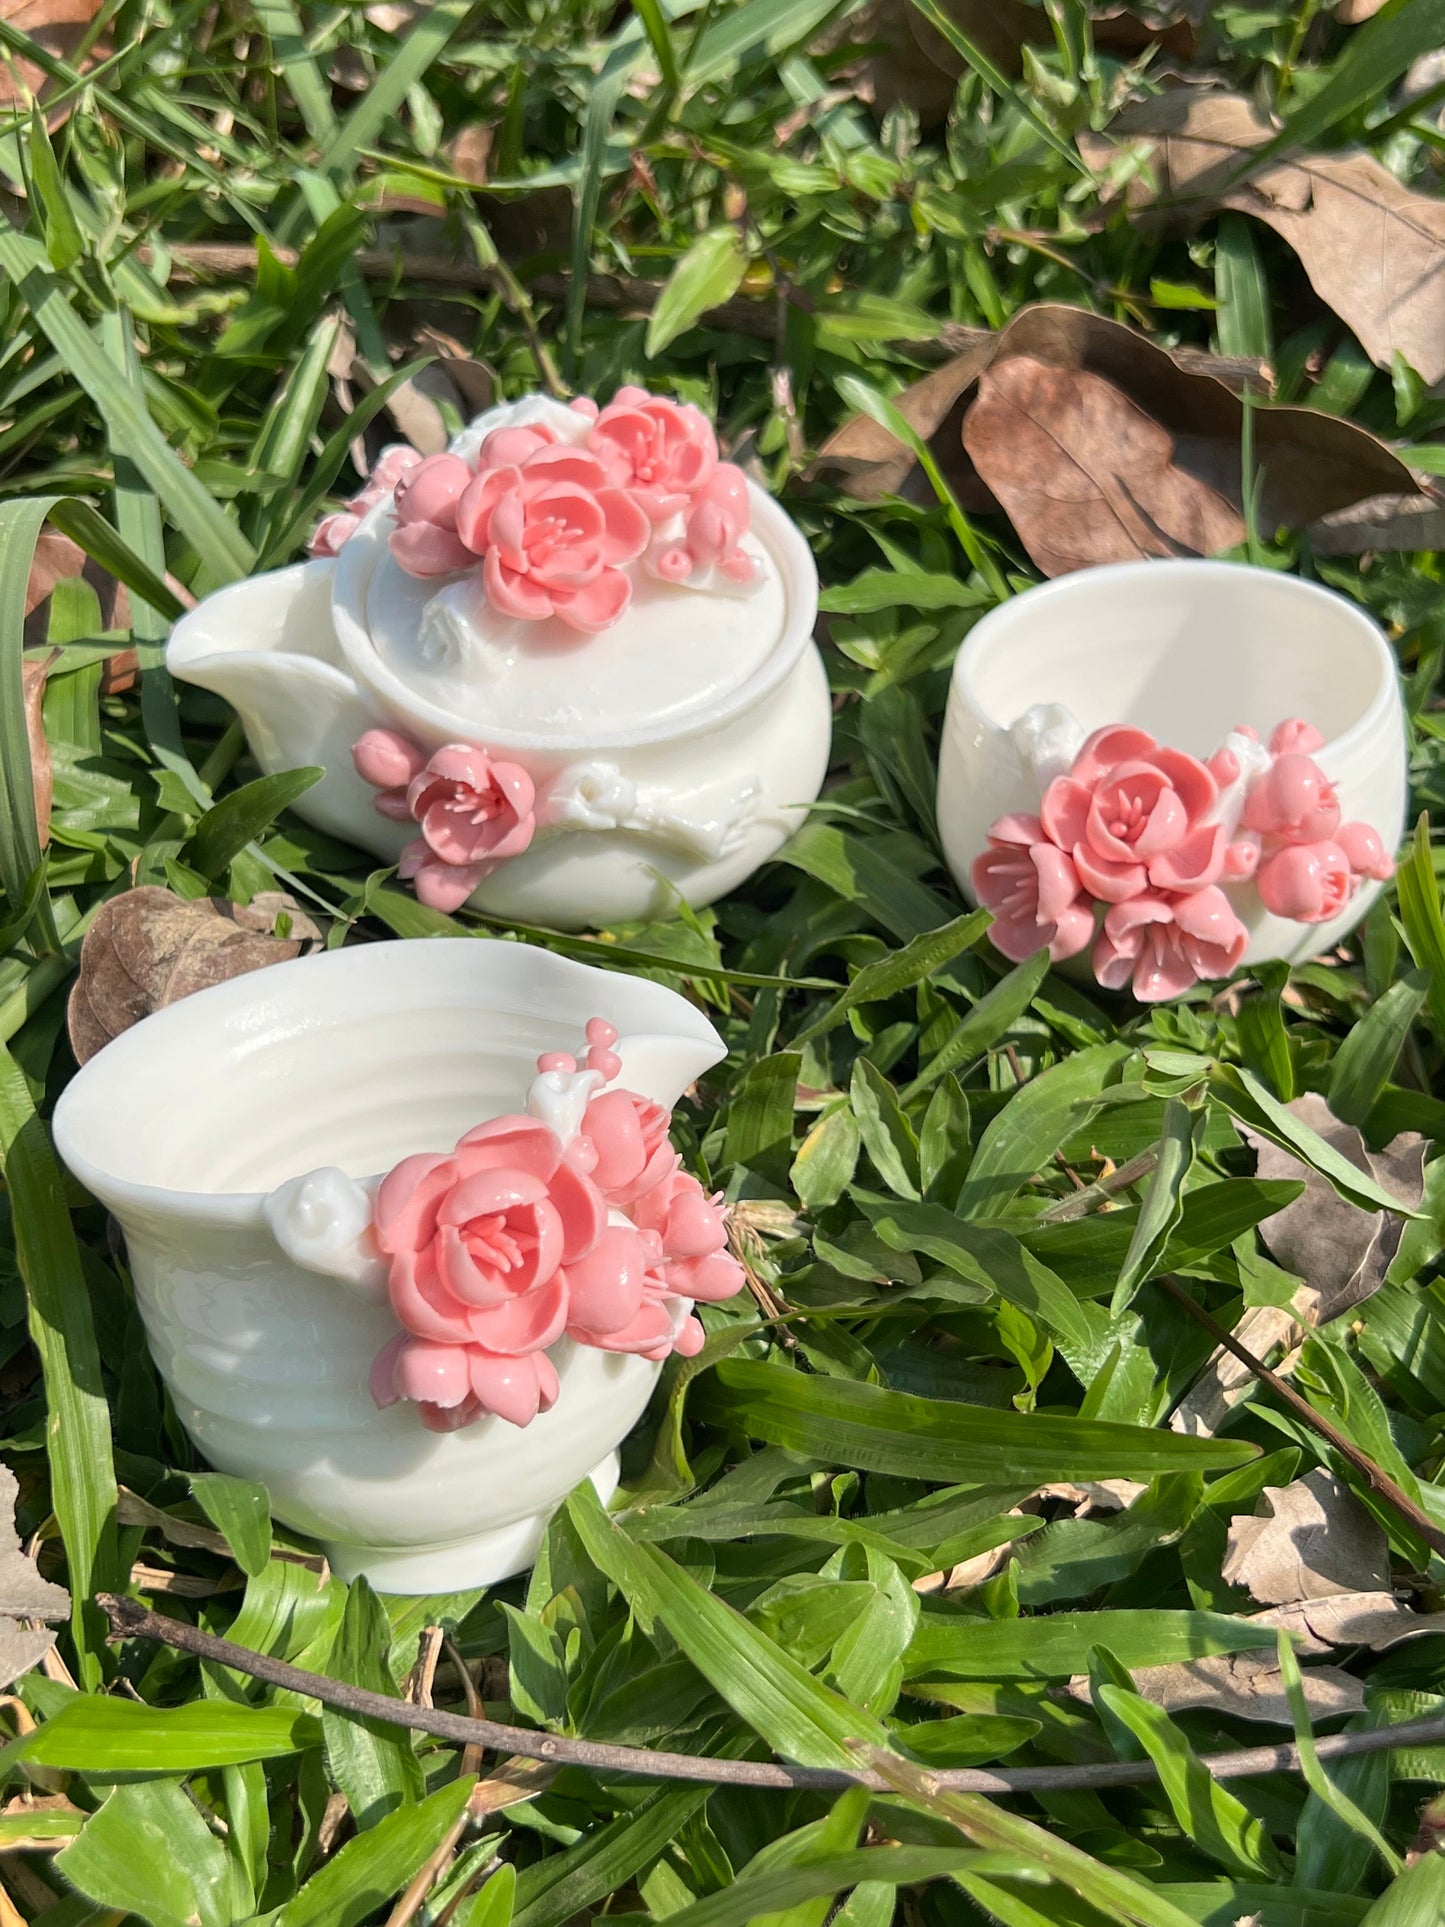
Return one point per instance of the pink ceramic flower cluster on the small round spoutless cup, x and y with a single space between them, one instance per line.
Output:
1147 835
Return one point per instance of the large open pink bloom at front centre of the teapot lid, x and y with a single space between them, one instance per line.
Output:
554 539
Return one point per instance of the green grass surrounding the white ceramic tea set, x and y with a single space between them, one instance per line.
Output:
238 196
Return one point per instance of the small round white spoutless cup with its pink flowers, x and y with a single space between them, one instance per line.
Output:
1128 781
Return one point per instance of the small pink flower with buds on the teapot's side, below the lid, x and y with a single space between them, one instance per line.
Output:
473 810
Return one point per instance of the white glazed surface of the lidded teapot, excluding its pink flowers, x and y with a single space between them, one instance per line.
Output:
689 739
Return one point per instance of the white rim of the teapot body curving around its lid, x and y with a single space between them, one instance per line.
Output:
772 525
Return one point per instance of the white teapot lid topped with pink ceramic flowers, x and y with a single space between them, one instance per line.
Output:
608 573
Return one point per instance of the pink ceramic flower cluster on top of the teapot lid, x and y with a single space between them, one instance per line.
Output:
556 523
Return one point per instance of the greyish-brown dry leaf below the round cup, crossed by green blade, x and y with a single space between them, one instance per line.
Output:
1338 1250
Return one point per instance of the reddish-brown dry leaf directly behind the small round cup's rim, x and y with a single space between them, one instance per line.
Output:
1086 475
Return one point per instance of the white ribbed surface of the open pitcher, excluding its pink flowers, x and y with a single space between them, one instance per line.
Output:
354 1059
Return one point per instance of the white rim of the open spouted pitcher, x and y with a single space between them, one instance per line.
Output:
132 1055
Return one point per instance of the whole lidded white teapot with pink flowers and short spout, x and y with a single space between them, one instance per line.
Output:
587 600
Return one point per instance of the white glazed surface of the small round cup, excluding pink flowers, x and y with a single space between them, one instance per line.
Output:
1184 650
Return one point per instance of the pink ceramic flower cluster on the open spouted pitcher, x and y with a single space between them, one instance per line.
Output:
515 1240
